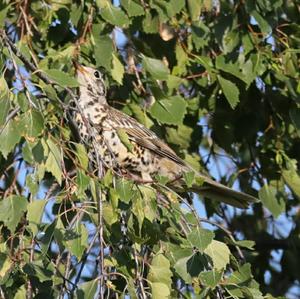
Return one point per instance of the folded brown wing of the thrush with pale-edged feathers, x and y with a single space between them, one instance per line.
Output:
142 136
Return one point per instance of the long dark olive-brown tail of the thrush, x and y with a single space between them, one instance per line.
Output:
217 191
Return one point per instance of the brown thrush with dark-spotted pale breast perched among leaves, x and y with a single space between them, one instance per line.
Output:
124 144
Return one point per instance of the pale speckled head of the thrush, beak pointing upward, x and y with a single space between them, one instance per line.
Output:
91 82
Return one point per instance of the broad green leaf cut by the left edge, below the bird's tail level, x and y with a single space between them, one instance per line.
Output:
12 209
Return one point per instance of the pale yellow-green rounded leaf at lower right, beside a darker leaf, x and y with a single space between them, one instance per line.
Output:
219 253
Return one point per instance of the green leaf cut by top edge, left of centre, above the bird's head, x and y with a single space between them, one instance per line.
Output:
113 15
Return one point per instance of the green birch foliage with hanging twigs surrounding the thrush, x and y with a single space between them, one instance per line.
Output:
219 78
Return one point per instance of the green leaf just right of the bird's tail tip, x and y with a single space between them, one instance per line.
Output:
268 196
